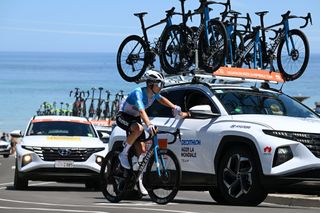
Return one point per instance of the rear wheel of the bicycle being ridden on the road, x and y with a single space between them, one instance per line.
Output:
110 177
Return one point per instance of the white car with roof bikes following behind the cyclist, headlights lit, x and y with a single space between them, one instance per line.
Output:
59 148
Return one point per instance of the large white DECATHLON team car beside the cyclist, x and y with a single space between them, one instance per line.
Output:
241 142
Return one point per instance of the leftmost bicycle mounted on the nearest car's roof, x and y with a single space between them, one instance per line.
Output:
136 54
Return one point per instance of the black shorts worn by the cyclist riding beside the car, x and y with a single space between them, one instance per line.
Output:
124 121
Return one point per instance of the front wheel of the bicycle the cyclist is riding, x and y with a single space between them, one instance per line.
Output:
163 183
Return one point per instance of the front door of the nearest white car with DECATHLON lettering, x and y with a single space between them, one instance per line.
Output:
194 149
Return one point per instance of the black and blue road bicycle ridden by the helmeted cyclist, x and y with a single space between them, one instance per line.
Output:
161 178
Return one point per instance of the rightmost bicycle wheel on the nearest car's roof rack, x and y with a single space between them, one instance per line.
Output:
293 55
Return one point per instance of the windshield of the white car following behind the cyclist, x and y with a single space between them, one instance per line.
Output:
61 128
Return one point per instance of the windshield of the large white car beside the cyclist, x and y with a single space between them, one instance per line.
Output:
238 101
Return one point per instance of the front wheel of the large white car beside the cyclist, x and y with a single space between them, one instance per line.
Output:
238 178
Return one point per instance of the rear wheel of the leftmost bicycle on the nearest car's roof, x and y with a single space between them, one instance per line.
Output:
131 61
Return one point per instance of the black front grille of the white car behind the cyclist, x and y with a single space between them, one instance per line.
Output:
74 154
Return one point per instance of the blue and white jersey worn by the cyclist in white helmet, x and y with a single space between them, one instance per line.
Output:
137 100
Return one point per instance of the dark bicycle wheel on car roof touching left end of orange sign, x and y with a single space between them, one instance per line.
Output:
212 54
